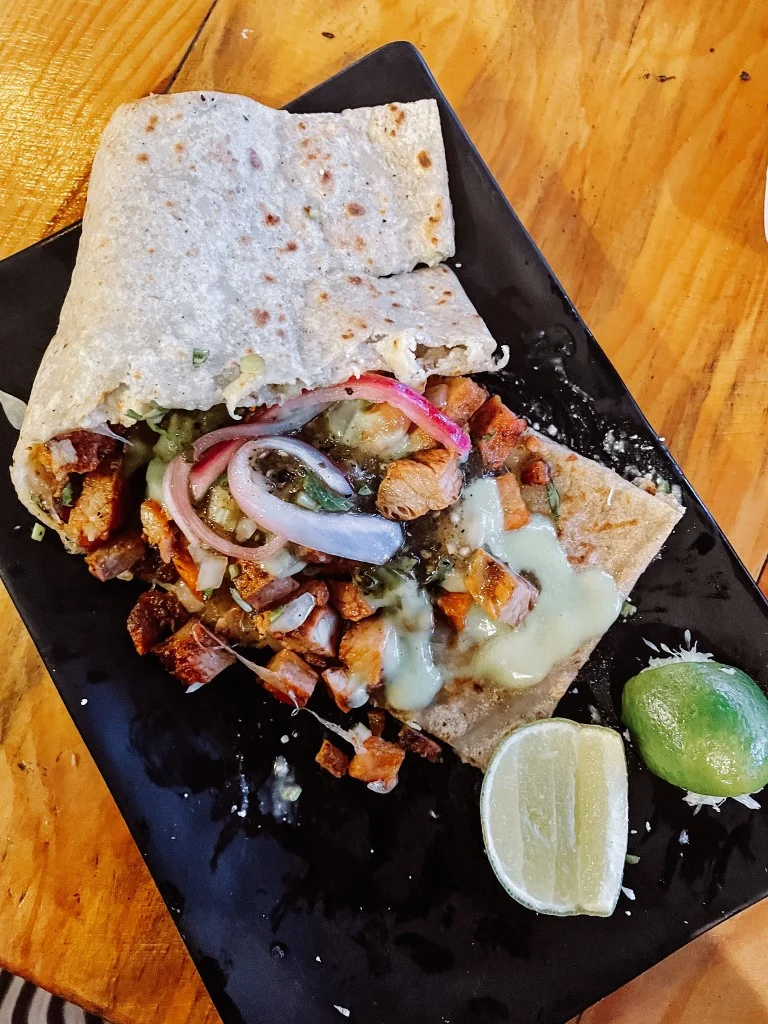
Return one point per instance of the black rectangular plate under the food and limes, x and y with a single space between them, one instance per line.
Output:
387 906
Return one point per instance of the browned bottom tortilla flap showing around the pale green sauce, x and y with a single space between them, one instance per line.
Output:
604 521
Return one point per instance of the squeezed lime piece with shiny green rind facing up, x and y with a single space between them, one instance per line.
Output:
701 726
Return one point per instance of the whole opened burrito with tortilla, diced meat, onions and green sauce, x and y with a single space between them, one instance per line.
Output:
260 403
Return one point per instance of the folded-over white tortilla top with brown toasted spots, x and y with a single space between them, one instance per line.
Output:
218 229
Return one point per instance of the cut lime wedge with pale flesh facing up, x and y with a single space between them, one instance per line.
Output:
553 808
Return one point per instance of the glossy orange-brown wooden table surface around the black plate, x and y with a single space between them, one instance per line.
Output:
630 137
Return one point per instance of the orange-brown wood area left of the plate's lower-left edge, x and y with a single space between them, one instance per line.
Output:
79 913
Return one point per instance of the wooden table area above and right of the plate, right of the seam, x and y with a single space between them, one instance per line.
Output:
647 197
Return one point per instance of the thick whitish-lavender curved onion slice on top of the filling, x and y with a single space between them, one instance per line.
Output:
348 535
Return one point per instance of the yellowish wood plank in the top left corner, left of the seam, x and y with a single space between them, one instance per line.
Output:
65 69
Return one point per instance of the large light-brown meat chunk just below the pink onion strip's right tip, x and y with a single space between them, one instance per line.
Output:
428 482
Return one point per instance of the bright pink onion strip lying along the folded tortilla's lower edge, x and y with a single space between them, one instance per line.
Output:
296 412
